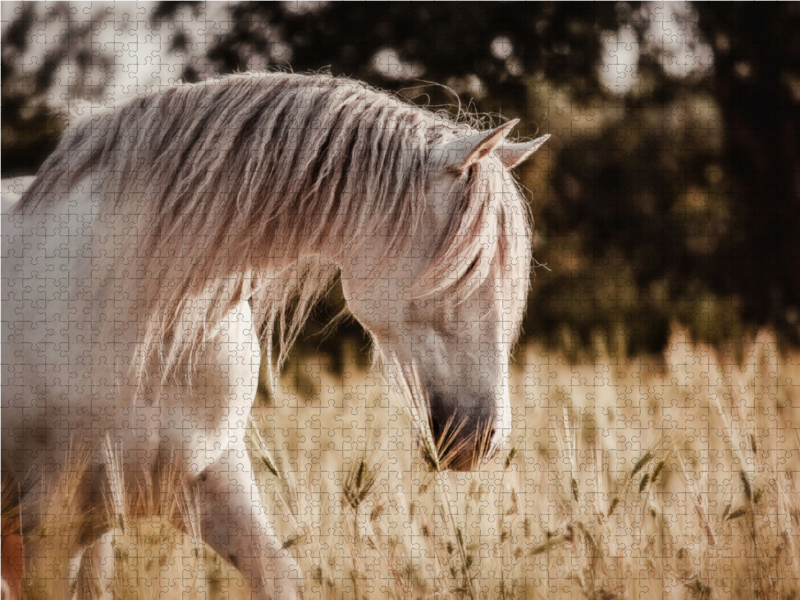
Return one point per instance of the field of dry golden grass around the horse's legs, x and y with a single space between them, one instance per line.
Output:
624 479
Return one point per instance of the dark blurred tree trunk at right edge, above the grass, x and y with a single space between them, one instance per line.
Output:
756 82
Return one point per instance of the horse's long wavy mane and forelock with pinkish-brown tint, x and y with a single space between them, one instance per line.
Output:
244 174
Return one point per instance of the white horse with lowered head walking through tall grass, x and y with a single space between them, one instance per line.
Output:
169 239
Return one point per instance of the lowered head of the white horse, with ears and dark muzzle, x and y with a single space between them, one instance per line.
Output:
446 309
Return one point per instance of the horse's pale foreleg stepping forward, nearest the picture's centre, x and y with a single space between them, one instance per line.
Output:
234 524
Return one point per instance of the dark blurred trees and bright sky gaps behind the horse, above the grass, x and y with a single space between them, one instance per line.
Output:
668 195
